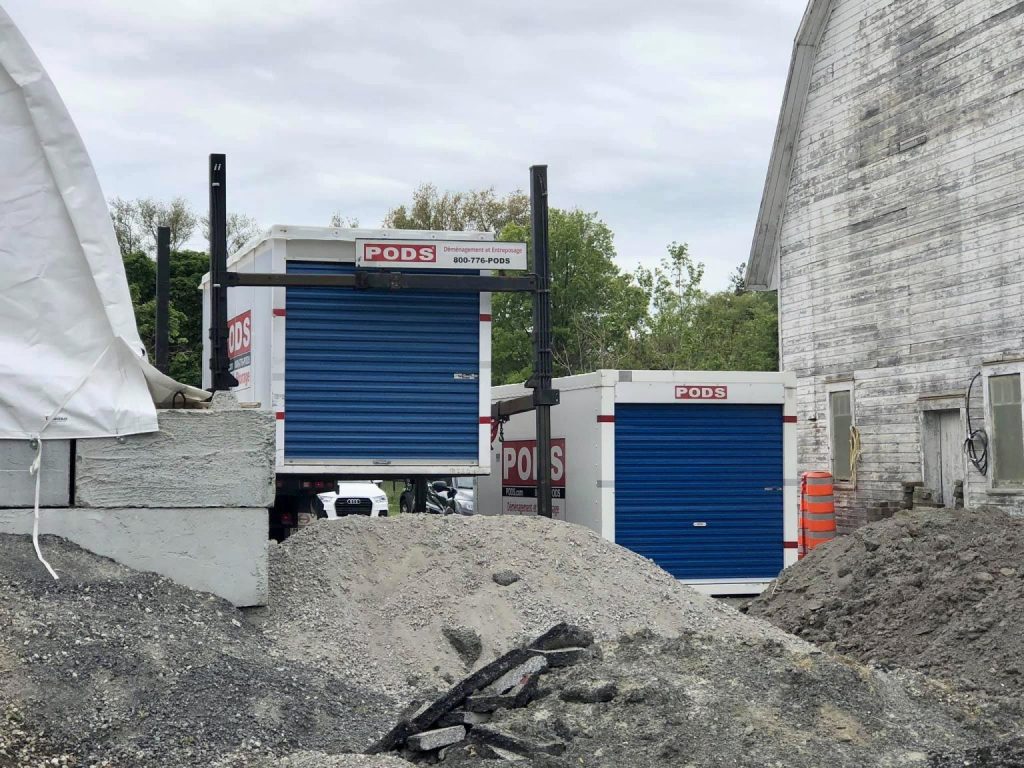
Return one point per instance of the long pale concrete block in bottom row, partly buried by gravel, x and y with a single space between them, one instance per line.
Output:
223 551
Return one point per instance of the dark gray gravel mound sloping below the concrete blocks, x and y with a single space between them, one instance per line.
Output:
114 667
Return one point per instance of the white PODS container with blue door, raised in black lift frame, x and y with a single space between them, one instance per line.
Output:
259 342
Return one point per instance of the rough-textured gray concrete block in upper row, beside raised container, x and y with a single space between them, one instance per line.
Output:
200 458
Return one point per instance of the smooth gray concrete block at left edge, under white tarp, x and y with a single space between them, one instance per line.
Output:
18 488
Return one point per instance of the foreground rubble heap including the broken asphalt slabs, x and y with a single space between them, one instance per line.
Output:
695 701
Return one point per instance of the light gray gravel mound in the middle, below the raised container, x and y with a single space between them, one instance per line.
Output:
396 592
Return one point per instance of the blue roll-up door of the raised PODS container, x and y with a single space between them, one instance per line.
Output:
380 375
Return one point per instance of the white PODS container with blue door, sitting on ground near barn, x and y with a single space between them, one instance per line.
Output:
706 467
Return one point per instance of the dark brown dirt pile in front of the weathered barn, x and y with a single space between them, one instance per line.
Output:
940 591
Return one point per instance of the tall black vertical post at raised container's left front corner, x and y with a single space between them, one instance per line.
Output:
221 377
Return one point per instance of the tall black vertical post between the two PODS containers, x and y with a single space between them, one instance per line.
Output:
542 334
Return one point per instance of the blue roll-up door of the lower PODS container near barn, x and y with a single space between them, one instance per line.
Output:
699 488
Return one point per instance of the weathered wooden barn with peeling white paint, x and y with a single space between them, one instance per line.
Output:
892 227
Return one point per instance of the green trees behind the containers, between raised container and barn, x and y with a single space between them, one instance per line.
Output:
602 317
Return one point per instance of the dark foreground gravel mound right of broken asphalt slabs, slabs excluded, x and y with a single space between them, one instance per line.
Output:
707 702
